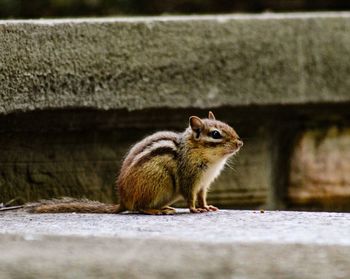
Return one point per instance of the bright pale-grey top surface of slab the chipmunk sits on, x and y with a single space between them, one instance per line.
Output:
225 226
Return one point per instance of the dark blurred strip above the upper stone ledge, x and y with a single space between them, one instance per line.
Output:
85 8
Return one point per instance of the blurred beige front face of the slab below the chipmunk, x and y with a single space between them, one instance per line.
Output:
72 257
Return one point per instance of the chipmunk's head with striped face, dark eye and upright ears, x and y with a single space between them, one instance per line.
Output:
215 138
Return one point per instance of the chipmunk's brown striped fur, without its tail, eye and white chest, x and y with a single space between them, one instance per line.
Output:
163 175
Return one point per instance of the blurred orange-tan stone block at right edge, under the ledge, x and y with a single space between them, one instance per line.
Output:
320 168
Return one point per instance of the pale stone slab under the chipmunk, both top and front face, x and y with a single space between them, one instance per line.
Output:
225 244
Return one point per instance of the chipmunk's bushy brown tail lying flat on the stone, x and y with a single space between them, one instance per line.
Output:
69 205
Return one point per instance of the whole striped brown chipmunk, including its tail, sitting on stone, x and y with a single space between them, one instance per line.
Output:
162 168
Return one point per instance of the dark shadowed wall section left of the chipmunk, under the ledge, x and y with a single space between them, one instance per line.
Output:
72 164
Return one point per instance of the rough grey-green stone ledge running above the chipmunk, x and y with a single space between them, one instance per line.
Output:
196 61
